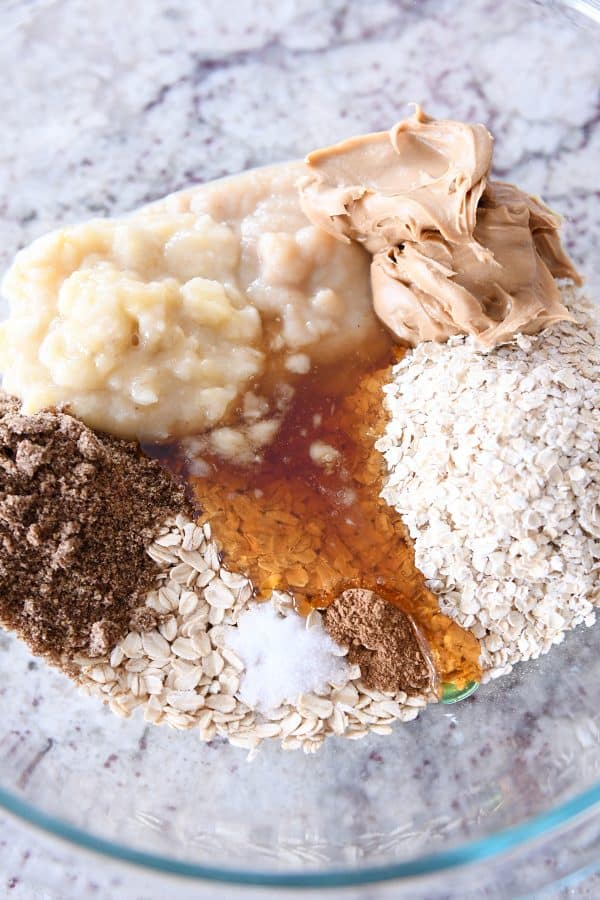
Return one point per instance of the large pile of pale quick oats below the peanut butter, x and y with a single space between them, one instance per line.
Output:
494 464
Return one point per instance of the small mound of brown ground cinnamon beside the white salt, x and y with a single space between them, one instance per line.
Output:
382 640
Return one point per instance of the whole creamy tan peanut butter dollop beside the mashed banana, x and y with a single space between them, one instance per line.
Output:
454 253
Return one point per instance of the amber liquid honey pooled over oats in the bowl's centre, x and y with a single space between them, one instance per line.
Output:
291 524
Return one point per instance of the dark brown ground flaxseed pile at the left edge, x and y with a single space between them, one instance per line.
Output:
77 511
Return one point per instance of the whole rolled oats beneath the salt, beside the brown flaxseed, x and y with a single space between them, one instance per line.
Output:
183 674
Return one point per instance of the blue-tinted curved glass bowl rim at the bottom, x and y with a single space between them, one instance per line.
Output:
468 853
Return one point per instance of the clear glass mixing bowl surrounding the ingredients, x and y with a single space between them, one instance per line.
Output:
105 111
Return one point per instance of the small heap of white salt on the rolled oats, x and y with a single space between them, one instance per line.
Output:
283 658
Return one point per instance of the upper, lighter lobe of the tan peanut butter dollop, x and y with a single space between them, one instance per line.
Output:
387 187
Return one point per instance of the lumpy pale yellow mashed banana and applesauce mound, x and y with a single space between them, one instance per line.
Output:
161 323
